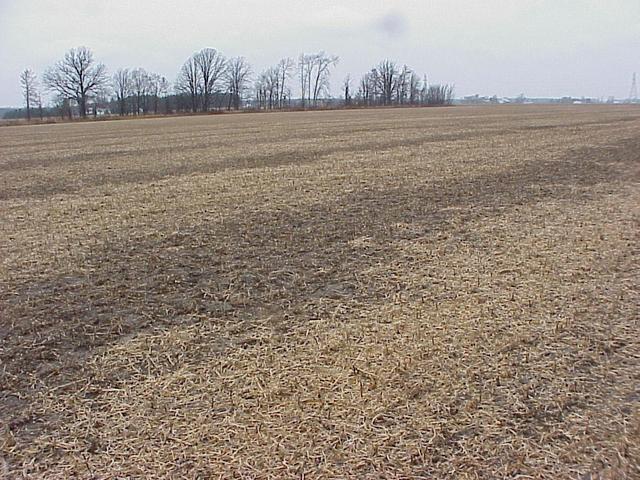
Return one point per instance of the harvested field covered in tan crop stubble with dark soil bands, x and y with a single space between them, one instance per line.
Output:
407 293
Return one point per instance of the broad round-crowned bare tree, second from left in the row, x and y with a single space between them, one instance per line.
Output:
77 76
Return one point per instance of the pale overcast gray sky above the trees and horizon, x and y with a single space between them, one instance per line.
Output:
504 47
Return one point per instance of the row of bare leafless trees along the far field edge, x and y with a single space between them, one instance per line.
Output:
208 81
